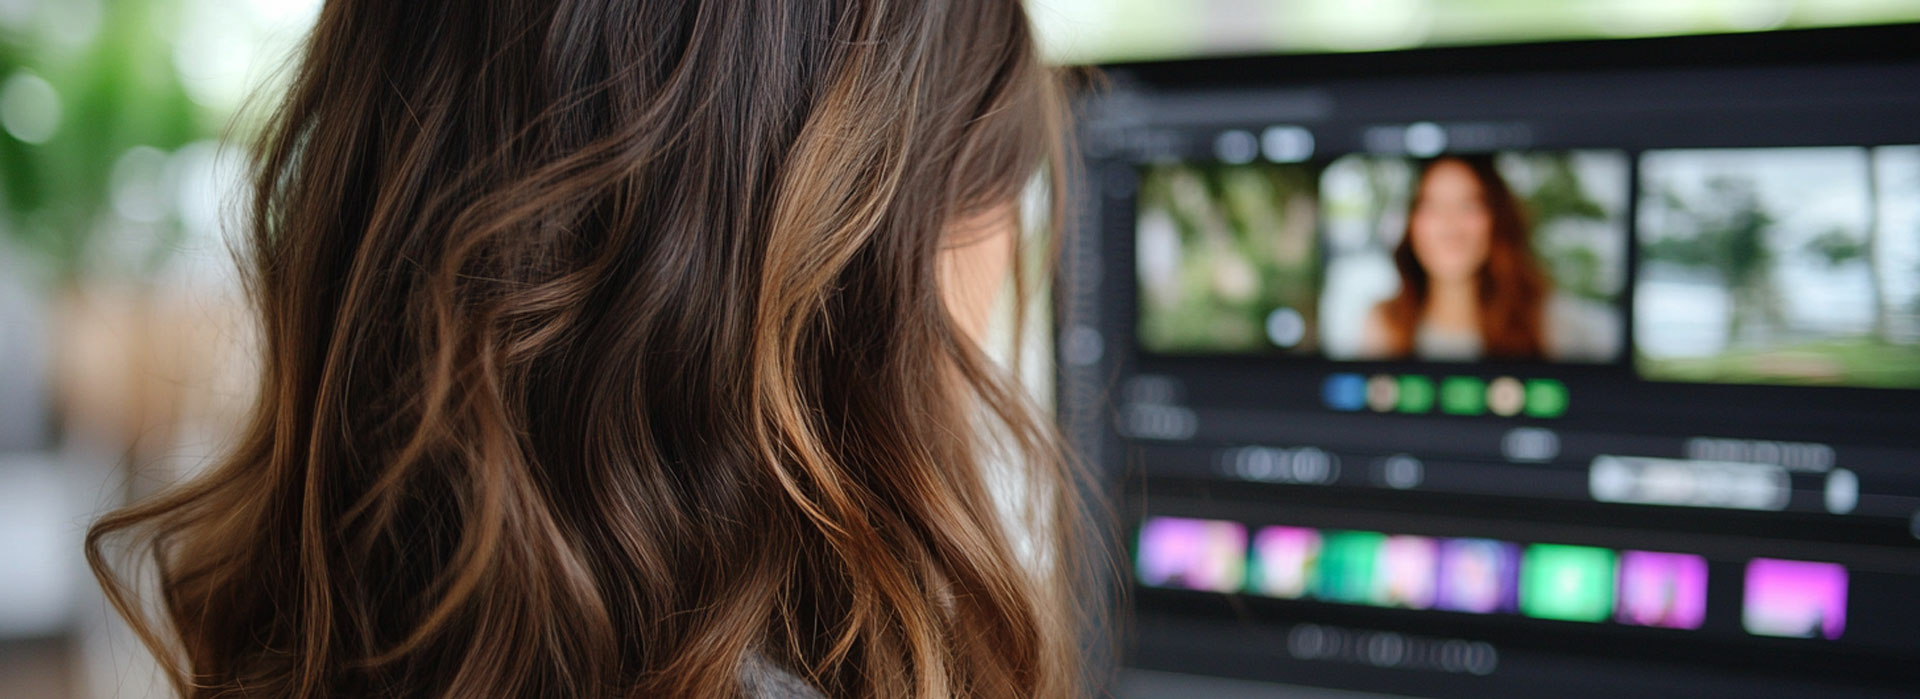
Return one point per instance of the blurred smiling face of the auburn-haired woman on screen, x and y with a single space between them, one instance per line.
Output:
1451 226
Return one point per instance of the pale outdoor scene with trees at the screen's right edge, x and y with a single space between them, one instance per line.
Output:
1781 266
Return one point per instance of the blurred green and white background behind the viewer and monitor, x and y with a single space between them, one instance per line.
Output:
124 341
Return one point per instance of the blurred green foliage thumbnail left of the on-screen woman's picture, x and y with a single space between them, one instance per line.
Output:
1226 258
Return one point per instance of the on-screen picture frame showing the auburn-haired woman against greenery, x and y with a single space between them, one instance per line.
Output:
1518 256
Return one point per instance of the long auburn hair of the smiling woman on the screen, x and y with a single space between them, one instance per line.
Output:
1512 289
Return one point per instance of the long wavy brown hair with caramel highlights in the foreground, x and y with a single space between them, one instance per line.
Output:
606 350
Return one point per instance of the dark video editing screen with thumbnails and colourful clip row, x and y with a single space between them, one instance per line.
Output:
1579 370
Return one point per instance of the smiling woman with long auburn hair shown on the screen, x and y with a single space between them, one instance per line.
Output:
1470 285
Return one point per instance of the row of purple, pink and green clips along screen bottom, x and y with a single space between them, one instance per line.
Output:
1487 577
